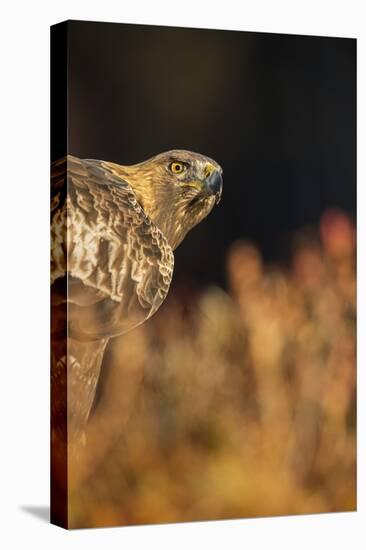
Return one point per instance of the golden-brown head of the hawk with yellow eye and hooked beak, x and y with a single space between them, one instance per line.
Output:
177 189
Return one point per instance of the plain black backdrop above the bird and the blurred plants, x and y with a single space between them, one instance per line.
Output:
276 111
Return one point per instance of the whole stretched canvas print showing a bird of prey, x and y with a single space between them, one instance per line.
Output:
203 314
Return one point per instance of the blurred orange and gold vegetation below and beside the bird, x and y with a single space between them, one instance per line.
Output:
232 404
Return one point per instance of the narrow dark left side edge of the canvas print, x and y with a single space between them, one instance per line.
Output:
59 478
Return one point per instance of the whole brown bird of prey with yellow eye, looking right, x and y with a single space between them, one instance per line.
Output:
113 232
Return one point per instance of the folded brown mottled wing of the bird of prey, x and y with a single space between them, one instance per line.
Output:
110 263
